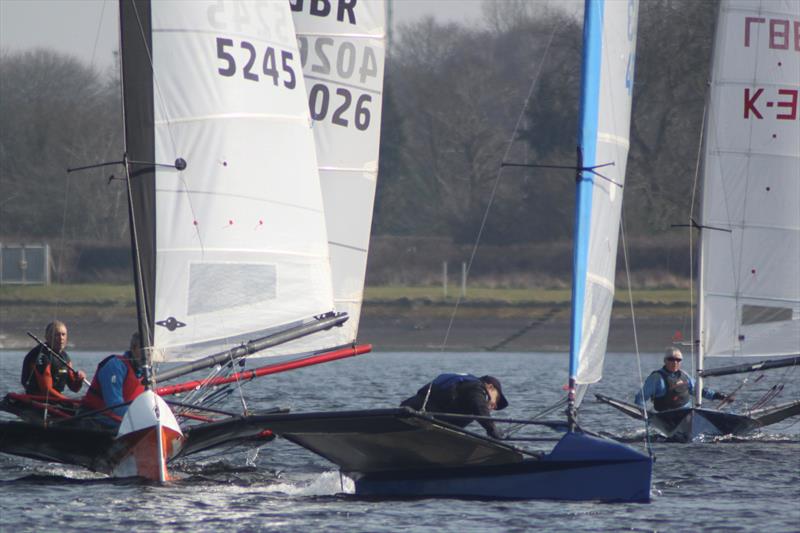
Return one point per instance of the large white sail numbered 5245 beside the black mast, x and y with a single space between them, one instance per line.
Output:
241 244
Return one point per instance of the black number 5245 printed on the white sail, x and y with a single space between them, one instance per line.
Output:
250 71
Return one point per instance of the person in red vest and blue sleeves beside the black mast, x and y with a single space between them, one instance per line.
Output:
118 380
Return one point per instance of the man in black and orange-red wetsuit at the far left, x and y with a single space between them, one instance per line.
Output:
47 368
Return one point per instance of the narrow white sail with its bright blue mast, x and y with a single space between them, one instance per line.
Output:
610 49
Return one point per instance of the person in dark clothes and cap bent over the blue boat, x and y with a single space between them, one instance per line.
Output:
462 394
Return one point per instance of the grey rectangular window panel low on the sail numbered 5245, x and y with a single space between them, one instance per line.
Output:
220 286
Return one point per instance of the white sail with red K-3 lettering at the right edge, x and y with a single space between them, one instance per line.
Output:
750 271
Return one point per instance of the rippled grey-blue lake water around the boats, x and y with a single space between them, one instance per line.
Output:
731 484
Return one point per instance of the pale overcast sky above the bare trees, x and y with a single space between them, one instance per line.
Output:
88 28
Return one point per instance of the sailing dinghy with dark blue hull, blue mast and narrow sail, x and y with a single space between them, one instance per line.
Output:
406 453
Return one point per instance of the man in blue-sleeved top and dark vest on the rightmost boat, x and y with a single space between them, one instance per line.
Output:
669 387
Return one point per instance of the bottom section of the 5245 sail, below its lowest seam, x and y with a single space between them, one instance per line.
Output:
298 291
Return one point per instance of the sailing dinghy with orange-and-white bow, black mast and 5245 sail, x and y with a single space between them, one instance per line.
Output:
228 233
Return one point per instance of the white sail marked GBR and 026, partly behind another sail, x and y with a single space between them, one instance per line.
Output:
342 46
